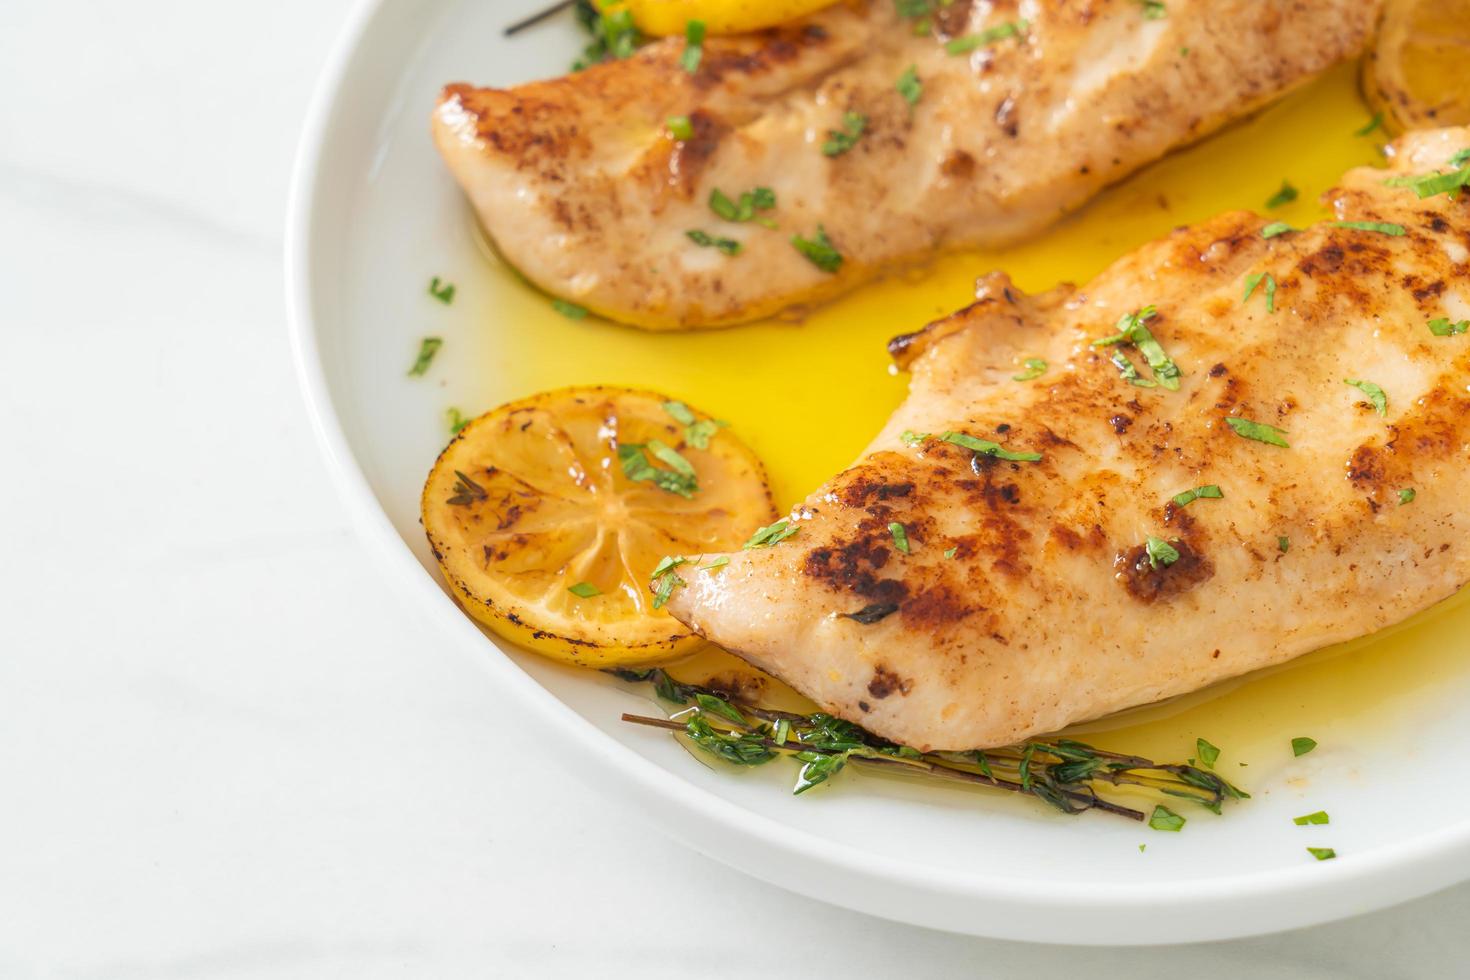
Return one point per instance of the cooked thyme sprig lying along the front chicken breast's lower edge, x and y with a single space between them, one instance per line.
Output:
1062 774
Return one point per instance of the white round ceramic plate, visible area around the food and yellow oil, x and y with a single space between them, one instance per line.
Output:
376 215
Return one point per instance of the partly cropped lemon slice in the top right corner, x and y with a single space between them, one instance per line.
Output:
1419 70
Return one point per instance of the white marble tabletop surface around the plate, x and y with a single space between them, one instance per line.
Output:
227 749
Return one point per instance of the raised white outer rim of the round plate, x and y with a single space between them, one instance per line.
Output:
999 907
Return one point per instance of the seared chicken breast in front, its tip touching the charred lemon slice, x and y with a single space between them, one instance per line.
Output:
949 599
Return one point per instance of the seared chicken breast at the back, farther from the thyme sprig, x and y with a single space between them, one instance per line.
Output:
586 190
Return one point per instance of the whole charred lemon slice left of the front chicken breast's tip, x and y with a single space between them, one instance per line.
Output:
551 515
